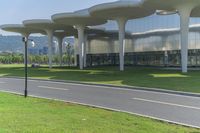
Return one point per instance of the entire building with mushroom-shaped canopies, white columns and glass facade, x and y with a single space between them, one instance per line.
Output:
125 32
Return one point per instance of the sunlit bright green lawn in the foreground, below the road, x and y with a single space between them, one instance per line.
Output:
32 115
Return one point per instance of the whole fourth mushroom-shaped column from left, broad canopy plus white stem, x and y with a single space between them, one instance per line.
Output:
121 11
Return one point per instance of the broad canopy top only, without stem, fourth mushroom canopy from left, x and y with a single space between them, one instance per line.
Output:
129 9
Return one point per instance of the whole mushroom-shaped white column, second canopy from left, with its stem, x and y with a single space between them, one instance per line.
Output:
49 27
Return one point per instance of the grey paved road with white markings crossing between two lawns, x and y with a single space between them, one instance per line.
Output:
169 107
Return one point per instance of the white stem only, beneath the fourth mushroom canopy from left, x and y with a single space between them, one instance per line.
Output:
121 24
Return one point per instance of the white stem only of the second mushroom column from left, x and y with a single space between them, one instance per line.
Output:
50 46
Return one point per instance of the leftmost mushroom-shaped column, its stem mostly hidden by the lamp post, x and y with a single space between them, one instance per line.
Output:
21 29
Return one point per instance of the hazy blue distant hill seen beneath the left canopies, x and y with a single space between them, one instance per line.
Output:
15 44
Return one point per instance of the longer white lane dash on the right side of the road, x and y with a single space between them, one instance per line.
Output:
166 103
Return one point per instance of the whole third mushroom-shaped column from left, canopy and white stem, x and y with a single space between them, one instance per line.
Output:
79 19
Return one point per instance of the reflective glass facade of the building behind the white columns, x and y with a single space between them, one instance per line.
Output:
154 41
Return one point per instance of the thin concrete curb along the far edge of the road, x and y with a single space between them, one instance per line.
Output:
121 87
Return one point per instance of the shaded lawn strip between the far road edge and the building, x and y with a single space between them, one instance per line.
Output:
132 76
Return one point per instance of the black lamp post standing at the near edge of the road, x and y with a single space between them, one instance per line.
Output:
25 40
